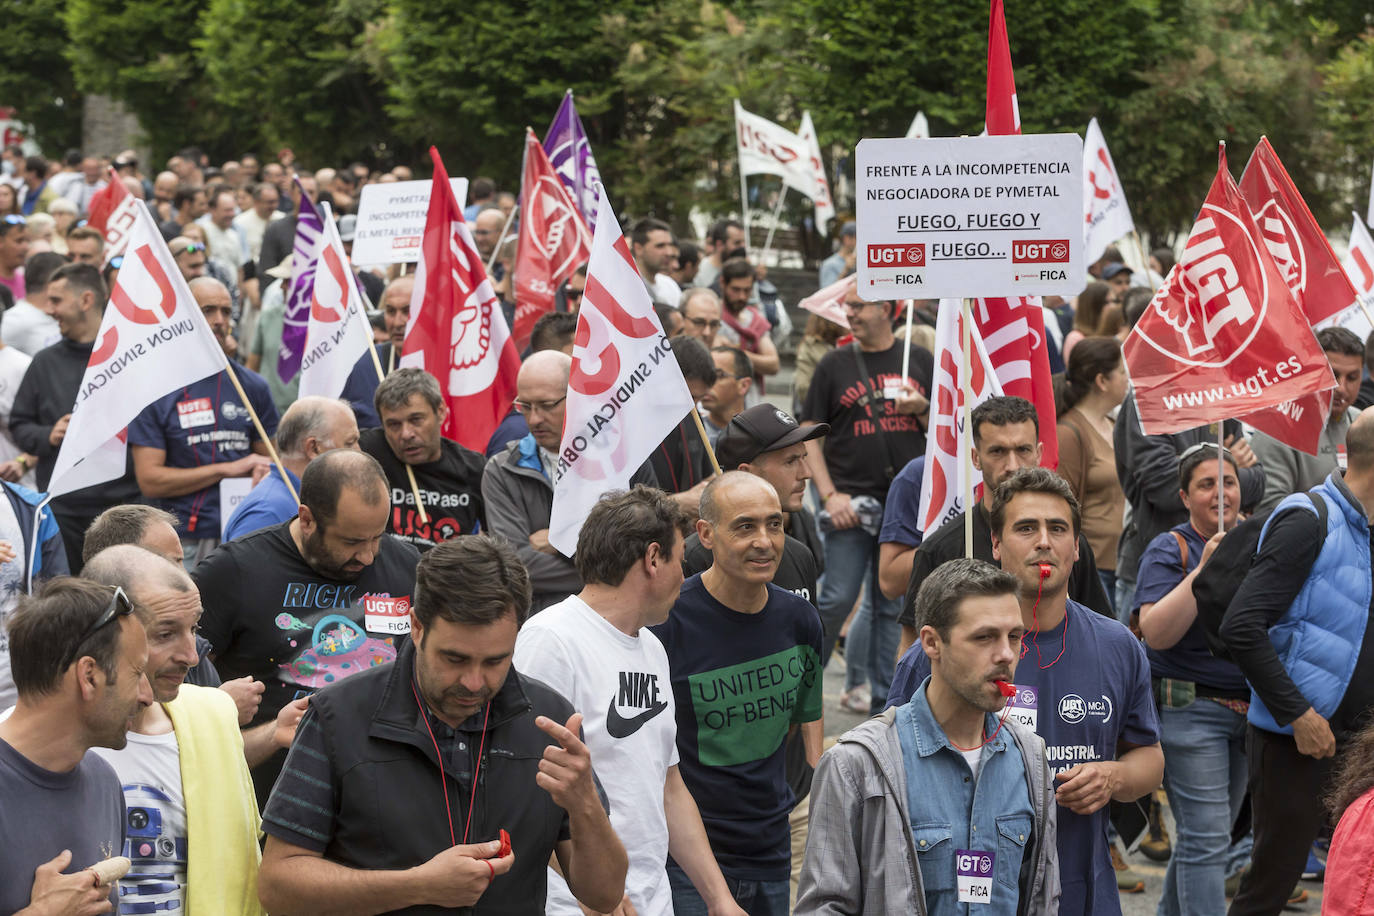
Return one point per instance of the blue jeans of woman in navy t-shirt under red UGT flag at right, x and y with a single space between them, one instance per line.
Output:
1204 777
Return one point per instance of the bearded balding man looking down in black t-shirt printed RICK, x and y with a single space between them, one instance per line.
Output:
313 601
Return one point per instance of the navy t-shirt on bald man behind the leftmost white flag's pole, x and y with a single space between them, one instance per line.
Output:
204 424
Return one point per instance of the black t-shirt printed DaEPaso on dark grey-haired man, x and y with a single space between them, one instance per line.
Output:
451 490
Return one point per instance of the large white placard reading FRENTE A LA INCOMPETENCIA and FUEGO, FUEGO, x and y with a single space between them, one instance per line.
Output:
960 218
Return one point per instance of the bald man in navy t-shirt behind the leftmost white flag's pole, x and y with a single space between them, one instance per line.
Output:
186 443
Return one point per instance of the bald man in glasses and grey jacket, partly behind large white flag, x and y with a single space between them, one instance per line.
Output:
519 483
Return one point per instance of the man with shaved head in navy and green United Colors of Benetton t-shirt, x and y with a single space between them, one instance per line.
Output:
745 660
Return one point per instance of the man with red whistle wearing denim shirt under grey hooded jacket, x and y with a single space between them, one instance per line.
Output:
951 804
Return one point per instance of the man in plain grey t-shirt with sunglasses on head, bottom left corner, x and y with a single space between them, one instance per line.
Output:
80 669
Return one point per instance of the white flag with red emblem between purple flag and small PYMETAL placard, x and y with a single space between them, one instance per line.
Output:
339 333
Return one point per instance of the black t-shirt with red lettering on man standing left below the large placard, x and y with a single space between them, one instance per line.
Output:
858 455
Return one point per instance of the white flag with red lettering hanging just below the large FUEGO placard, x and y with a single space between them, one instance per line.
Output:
949 443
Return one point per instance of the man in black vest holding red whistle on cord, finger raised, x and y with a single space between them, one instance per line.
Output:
357 825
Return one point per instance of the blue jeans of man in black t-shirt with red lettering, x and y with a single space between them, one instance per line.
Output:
851 564
